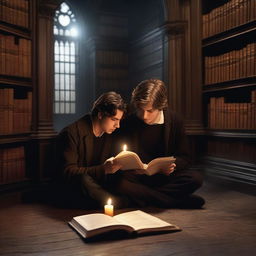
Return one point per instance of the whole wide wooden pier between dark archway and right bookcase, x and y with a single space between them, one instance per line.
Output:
182 65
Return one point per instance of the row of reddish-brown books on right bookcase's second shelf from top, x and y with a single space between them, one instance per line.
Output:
231 65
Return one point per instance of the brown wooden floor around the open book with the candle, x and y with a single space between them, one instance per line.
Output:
226 226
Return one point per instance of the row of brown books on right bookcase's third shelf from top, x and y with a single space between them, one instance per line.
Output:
222 115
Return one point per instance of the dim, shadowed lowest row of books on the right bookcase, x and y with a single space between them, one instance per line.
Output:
244 151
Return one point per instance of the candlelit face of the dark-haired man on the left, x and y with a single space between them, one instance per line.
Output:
110 123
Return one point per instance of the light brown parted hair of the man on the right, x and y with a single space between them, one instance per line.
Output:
150 91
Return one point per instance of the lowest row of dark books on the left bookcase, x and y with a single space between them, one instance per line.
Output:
12 165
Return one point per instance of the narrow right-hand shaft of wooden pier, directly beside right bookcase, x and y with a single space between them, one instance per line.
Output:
193 69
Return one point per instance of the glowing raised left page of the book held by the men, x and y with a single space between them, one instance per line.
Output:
129 160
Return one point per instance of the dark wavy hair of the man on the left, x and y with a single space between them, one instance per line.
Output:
108 104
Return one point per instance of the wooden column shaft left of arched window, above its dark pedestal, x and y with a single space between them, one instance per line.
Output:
45 62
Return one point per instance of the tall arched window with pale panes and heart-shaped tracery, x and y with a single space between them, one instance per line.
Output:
65 60
